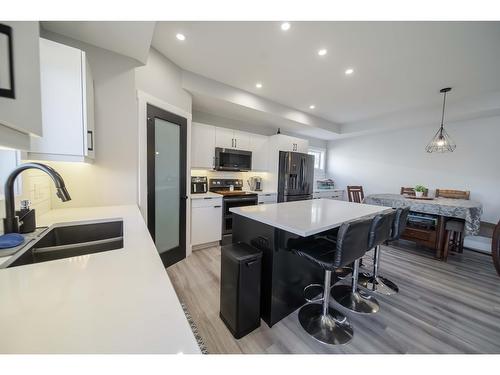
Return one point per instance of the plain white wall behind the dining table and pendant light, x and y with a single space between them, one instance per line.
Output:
384 162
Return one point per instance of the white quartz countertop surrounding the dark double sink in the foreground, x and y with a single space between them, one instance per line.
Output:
119 301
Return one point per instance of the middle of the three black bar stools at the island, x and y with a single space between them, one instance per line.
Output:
350 296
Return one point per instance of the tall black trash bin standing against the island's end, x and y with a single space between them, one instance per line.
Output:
240 288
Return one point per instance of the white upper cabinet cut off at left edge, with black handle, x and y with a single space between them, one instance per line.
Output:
20 110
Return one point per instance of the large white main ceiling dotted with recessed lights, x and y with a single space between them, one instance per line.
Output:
398 65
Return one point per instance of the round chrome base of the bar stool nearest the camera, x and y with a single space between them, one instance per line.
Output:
332 328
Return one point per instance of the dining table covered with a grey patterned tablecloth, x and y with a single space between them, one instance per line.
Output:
444 209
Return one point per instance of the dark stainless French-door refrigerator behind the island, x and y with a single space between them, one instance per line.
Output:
295 176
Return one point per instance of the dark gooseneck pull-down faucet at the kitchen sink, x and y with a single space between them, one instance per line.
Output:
11 221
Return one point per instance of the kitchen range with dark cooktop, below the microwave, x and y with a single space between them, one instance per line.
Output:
233 196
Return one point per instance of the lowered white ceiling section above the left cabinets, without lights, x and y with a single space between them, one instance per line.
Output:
132 39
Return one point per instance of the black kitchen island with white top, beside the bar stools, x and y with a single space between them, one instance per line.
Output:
270 227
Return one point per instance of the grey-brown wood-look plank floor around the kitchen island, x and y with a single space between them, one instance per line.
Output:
451 307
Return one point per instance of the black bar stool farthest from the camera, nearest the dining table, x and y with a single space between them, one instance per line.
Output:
383 228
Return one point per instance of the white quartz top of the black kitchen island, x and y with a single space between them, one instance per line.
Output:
308 217
